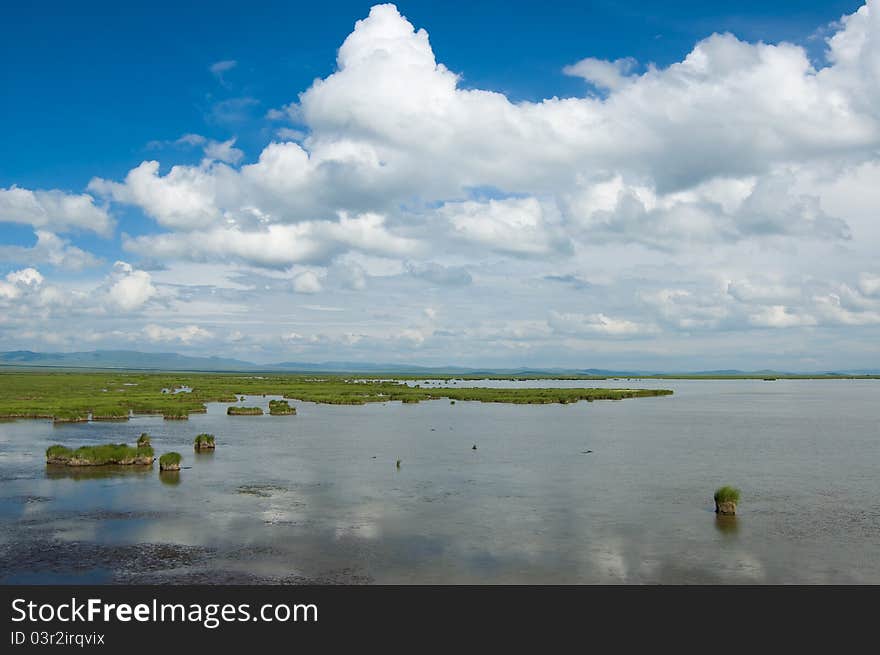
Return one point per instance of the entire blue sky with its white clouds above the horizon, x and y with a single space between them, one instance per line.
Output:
96 91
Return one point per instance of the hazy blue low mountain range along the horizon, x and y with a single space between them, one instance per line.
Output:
130 359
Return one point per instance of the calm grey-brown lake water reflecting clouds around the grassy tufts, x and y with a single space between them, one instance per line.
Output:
317 497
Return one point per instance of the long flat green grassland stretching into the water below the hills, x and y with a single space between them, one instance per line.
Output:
77 395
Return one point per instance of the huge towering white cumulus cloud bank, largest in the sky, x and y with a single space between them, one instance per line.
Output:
649 162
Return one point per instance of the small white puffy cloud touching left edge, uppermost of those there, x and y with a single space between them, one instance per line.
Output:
53 210
